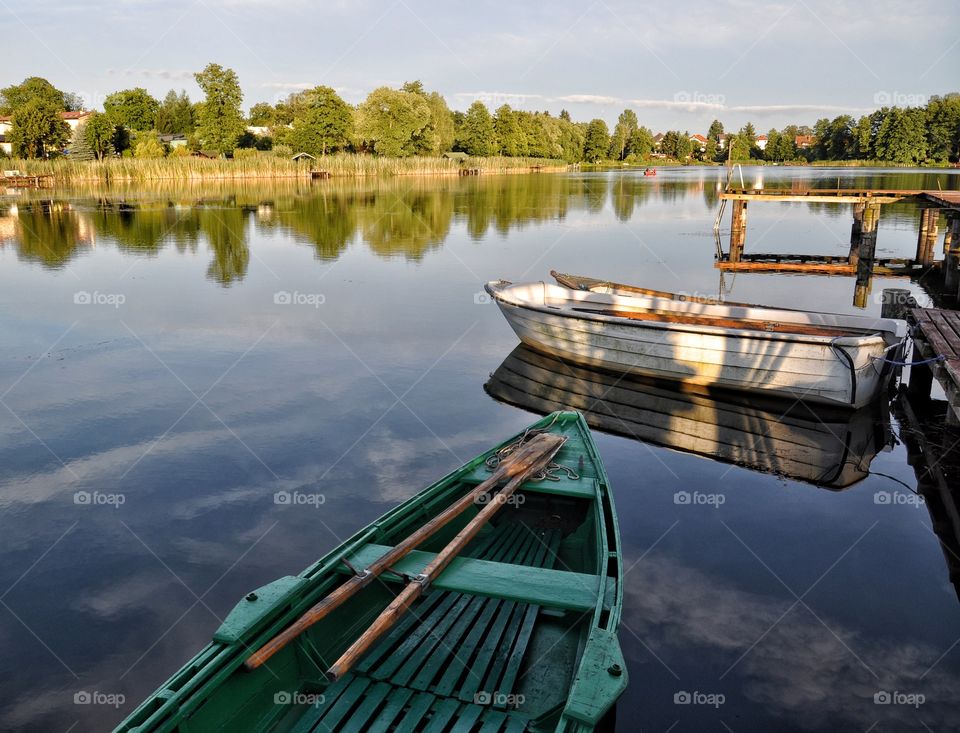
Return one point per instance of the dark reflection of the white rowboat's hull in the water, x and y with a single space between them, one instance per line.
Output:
811 443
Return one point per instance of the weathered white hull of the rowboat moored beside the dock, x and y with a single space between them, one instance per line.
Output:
840 370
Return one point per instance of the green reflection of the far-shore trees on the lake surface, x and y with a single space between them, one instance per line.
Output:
395 218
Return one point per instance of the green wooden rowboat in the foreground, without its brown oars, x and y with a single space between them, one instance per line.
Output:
518 633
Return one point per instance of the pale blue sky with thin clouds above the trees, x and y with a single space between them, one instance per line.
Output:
678 65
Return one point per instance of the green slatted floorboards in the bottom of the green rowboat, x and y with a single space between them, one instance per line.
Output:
445 659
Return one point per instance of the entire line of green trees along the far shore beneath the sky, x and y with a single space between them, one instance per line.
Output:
414 121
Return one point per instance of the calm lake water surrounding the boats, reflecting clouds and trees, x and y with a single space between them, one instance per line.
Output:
173 357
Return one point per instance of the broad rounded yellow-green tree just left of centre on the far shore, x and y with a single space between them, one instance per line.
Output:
388 120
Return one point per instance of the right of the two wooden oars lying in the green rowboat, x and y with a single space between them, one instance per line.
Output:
549 444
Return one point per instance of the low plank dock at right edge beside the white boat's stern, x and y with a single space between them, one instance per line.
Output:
936 355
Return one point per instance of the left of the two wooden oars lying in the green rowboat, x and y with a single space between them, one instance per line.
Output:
518 467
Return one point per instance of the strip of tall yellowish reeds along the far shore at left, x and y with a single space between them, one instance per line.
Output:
65 171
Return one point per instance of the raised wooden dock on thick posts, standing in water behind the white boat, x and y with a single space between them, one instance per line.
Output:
860 260
